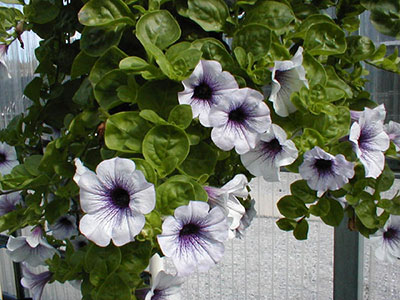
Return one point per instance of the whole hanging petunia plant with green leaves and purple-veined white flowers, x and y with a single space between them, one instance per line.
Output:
149 118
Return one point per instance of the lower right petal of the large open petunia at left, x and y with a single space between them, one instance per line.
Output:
129 226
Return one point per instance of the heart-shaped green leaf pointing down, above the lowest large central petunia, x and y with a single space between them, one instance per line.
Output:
165 147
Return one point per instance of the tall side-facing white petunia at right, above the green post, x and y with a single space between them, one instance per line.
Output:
370 141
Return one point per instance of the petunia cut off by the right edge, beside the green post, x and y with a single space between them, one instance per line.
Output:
387 240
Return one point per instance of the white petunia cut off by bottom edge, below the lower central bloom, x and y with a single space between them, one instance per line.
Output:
165 287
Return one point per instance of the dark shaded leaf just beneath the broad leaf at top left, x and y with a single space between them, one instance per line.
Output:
95 41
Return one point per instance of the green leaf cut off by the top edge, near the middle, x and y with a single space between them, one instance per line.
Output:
211 15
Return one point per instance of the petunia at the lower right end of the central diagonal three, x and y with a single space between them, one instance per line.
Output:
272 151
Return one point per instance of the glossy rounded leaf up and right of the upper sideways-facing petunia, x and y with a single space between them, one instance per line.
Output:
325 39
